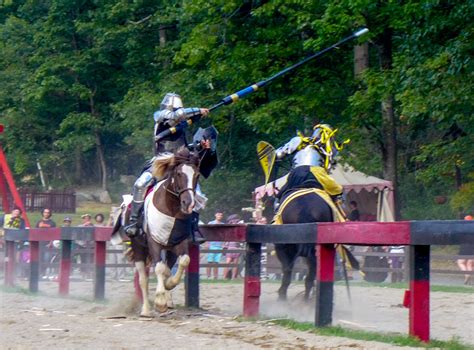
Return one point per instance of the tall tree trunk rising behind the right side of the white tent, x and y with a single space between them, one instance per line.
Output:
389 130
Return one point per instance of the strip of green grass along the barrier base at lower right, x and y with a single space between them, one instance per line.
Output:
390 338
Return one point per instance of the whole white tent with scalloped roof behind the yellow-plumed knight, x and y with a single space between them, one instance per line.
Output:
374 196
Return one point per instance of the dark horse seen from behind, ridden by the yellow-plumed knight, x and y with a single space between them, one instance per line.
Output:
306 208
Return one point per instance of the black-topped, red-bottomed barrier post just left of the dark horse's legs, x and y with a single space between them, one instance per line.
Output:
252 280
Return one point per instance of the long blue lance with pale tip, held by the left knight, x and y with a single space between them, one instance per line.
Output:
254 87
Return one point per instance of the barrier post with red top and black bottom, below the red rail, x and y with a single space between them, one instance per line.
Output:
325 254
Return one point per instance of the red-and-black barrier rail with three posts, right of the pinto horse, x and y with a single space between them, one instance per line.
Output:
419 235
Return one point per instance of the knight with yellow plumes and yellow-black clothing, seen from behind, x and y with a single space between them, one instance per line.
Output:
312 160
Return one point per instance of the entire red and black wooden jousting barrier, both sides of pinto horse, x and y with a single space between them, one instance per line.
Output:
419 235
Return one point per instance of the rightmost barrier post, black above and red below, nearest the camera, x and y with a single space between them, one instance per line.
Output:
419 324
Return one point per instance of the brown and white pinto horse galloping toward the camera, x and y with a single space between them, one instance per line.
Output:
167 225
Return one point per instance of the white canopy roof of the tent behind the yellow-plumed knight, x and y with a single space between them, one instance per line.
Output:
345 175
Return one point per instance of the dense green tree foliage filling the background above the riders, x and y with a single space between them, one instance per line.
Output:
81 79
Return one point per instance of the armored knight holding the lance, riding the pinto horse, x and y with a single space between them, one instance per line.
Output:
170 114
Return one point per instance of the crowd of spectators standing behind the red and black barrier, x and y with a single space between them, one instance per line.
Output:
228 253
